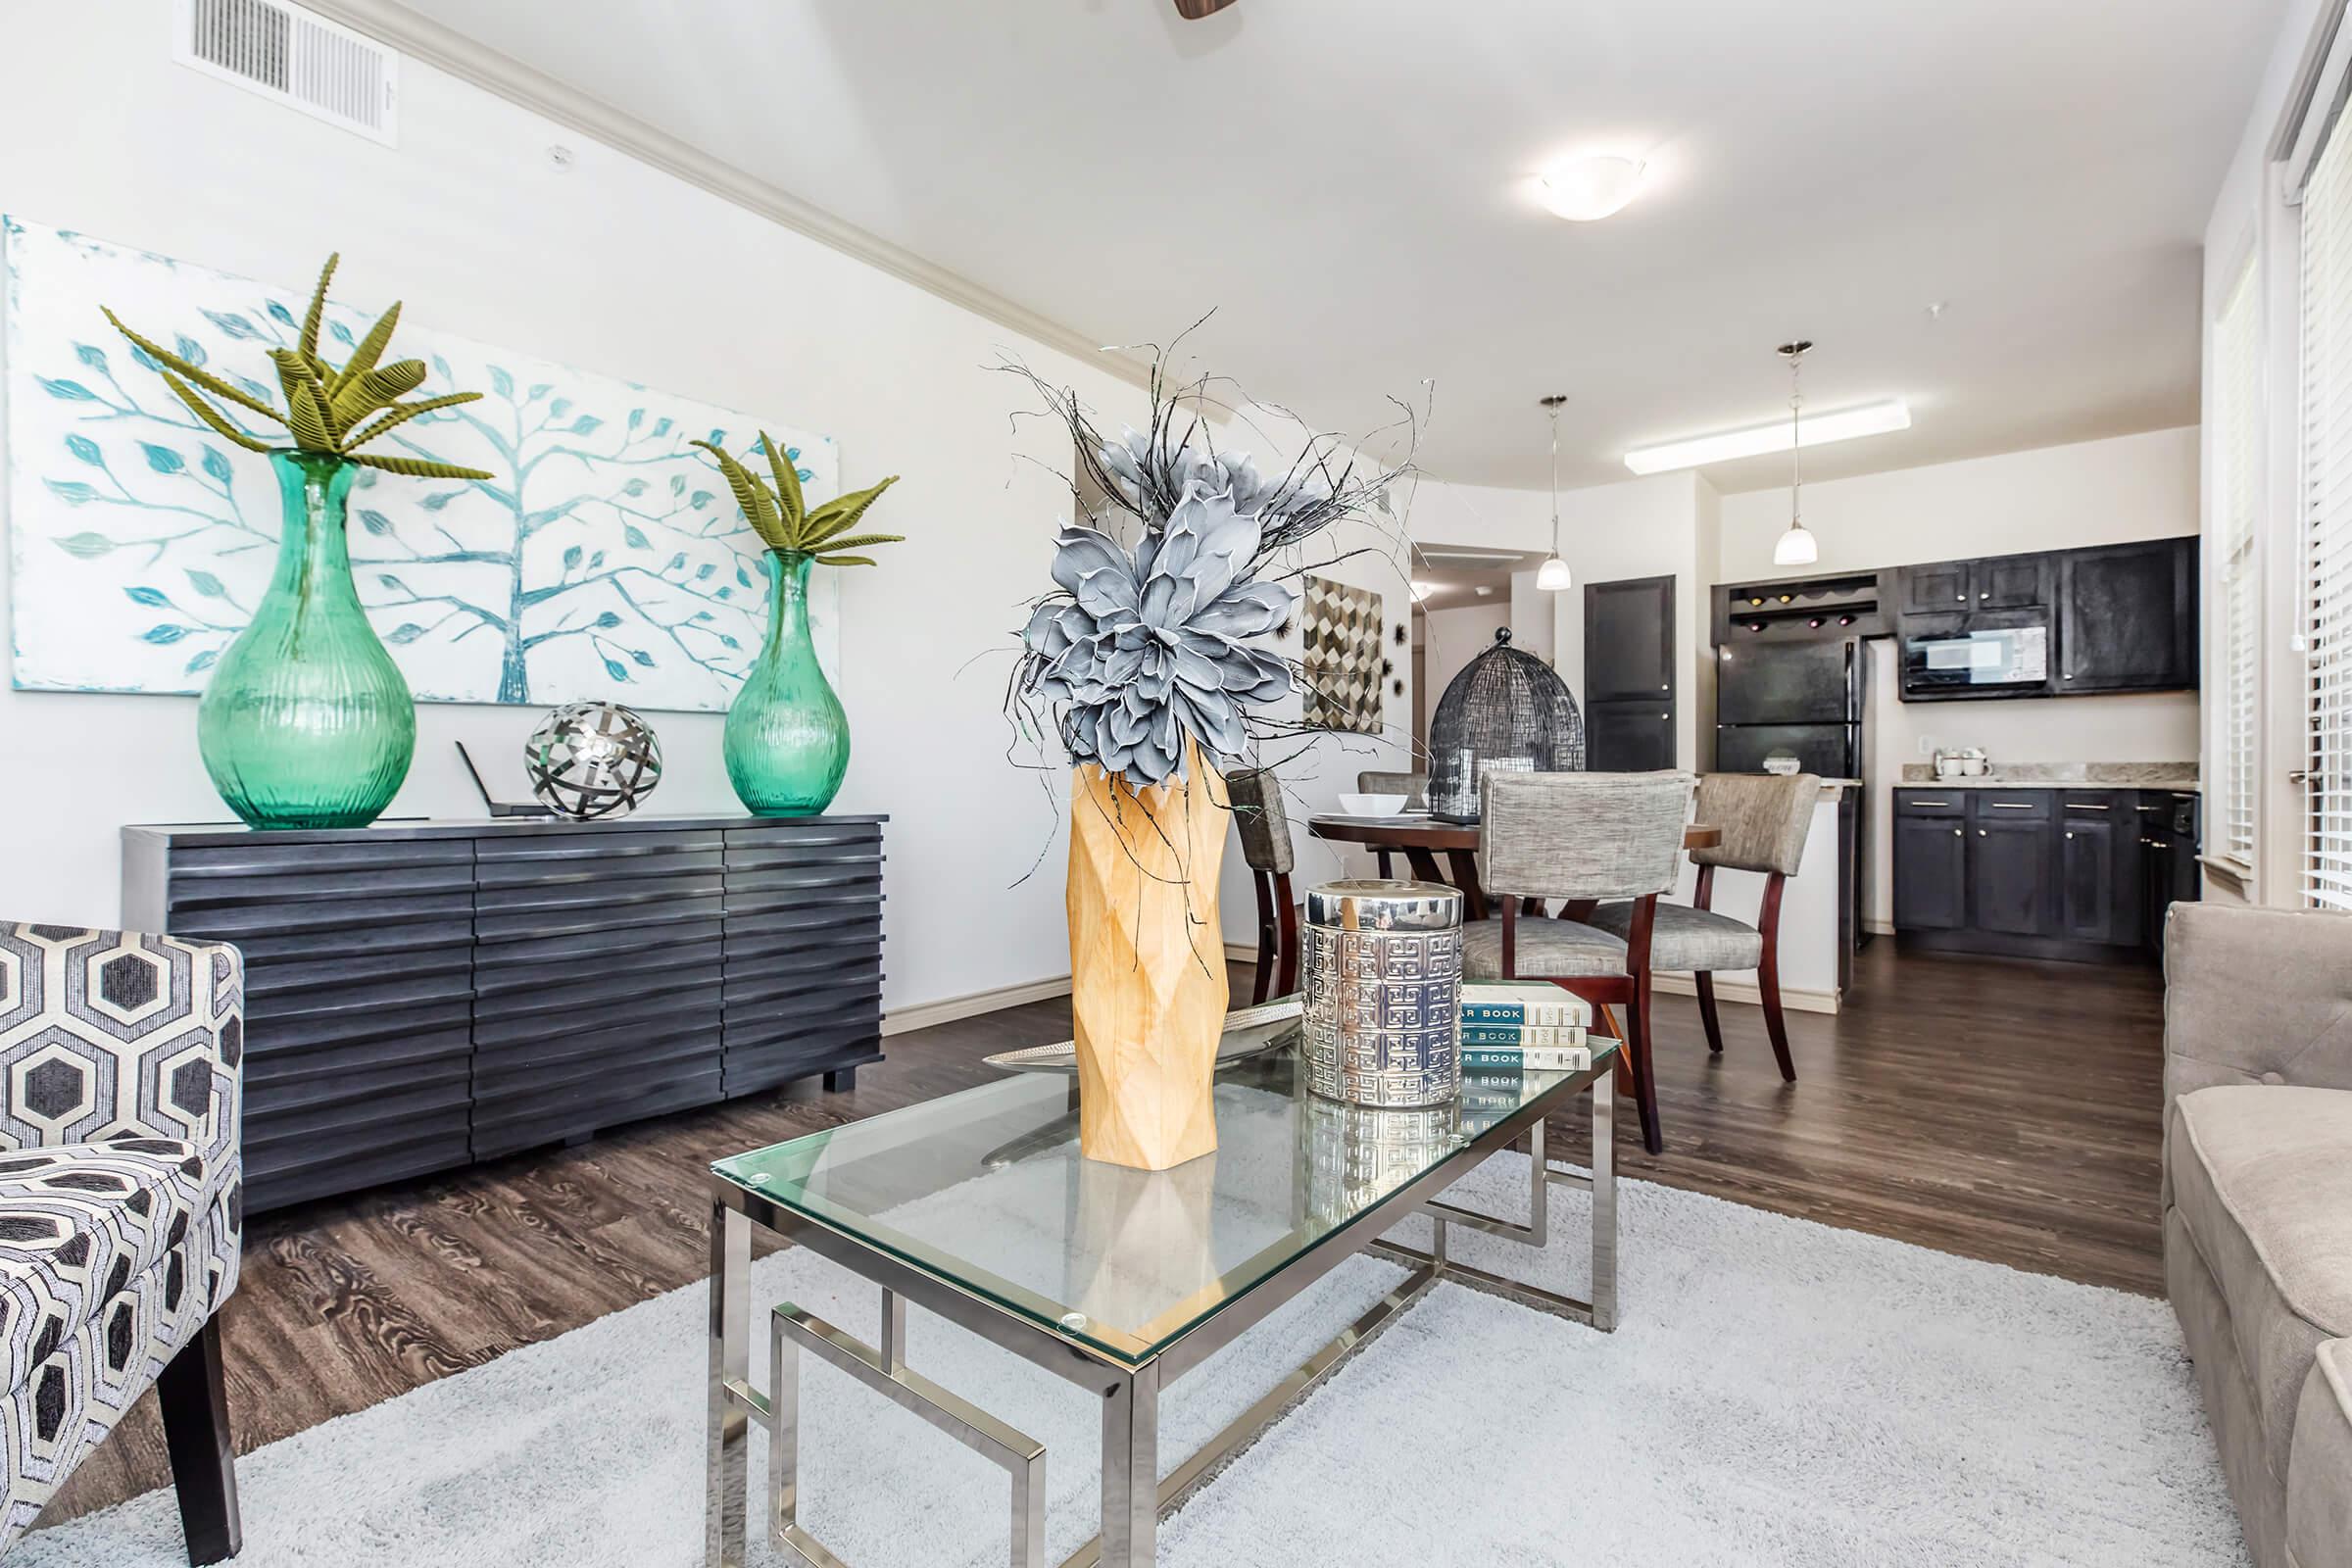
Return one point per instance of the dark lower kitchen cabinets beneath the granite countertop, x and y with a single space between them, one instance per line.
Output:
2038 873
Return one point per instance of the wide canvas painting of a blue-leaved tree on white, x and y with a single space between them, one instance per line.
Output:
603 558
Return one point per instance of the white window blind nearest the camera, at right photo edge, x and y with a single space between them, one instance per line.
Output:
2327 525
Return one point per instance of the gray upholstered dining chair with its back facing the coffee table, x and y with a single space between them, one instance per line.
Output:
1582 838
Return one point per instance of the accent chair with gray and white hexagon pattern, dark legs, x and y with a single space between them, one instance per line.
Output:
121 1207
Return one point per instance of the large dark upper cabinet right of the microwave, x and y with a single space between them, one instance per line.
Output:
2127 617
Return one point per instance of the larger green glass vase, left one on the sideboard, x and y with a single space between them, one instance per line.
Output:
307 721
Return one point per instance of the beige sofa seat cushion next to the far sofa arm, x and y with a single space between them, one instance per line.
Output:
2264 1186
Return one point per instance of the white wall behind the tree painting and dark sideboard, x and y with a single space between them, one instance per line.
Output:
634 274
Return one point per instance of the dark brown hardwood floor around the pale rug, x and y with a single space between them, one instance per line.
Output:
1996 1108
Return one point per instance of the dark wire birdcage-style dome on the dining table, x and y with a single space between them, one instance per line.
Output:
1504 713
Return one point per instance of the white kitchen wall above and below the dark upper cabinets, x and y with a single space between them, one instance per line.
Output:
2050 500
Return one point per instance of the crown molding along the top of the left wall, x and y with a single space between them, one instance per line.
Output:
500 74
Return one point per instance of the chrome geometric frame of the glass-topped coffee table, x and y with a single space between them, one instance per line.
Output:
1128 1391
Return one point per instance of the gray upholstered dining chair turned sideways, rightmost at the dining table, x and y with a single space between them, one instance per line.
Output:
1765 824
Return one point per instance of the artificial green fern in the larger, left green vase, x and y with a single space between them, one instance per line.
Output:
328 410
